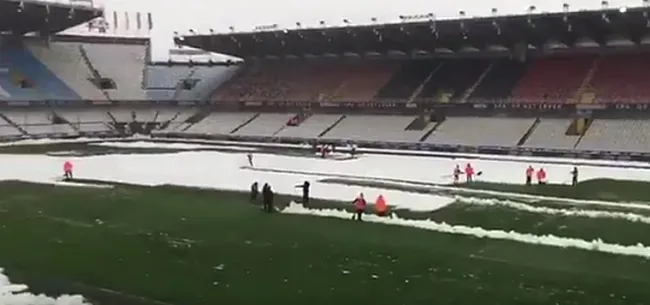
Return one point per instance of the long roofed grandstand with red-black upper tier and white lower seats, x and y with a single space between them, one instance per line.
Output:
456 83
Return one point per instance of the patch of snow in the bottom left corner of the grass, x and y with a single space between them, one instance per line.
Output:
16 294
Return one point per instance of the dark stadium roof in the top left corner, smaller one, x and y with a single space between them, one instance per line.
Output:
21 17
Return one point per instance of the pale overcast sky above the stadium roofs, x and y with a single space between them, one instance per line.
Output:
201 15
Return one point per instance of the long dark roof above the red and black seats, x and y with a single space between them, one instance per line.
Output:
589 29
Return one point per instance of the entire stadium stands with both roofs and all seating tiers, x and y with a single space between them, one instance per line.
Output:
568 84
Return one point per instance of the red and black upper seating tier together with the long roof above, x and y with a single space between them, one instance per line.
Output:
536 58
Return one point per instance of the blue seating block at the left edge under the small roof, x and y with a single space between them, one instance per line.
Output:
20 63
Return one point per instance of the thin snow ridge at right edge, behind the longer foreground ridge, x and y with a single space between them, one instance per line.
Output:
553 211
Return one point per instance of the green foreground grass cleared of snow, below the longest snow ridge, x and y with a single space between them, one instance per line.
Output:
195 247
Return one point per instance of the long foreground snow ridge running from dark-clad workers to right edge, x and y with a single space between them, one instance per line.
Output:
546 240
